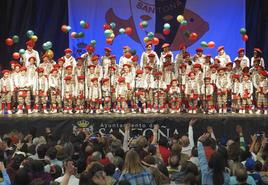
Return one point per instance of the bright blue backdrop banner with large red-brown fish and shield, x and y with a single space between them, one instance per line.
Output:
212 20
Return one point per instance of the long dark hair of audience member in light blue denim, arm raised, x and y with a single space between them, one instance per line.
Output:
217 164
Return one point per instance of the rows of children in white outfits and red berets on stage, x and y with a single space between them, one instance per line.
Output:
165 84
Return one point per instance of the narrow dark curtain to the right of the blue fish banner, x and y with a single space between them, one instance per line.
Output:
257 27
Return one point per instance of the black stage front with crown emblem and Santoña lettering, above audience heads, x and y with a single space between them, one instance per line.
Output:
223 124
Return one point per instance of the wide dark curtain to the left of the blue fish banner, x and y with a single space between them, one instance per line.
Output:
44 17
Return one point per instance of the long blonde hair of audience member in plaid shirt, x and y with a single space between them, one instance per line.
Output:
132 162
